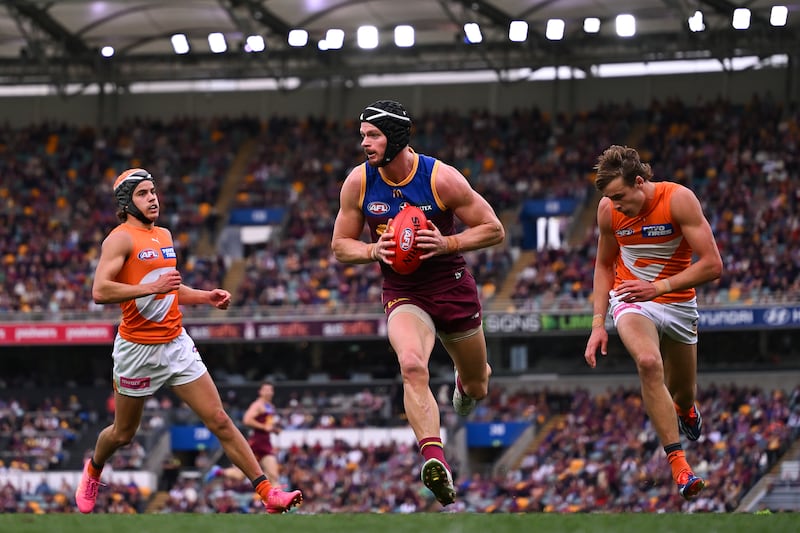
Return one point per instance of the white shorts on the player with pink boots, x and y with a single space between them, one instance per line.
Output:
142 369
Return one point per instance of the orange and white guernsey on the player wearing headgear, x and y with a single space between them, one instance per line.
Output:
155 318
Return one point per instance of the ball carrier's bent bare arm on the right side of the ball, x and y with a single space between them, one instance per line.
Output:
484 229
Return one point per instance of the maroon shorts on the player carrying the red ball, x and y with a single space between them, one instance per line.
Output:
454 306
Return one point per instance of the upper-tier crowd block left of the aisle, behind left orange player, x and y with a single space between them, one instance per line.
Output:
57 204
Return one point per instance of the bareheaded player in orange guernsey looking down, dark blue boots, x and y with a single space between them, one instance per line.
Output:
649 232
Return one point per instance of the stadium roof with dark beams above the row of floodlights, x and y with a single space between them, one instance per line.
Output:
60 42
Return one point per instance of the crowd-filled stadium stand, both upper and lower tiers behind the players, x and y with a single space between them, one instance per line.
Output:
584 454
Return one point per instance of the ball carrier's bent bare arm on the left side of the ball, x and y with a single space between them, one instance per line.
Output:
346 244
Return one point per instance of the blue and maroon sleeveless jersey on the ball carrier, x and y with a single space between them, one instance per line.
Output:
382 200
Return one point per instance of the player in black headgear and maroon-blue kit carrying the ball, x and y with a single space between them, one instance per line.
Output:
440 298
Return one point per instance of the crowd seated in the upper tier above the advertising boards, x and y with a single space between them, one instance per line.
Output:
740 160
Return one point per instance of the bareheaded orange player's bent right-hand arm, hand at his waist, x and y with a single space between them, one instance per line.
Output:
688 213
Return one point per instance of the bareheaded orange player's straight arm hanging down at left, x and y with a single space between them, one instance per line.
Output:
607 251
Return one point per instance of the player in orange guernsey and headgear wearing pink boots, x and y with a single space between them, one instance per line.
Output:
137 270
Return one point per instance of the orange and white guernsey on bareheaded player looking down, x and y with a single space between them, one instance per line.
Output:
652 247
